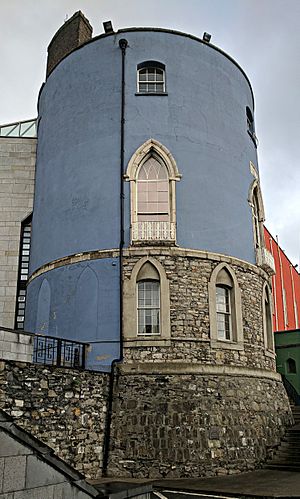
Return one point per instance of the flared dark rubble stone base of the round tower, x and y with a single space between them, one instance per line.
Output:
194 425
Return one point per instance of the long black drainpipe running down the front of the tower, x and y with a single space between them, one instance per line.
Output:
106 443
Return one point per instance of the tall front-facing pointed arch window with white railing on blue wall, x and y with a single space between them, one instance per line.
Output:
153 173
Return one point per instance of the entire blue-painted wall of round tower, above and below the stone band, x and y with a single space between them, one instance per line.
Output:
202 121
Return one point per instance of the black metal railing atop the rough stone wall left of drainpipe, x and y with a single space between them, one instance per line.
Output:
59 352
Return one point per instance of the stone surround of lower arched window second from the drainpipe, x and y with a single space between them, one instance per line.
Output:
236 343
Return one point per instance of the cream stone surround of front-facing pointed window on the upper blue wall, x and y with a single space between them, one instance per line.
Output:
152 146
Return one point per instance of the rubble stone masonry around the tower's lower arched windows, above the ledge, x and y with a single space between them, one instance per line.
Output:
189 273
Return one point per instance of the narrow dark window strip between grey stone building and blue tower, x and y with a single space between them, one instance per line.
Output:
23 272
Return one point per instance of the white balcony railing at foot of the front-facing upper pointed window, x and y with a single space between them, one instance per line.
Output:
153 231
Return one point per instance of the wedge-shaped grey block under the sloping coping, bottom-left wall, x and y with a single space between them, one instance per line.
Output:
40 474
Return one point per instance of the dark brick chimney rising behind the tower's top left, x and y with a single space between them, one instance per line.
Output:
74 32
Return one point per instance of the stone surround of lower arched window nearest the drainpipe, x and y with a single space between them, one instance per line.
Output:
131 339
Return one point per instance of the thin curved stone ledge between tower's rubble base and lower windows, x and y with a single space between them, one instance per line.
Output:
188 368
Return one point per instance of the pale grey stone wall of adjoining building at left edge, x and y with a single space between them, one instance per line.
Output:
17 169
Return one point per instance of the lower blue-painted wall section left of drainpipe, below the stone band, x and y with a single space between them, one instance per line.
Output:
82 303
